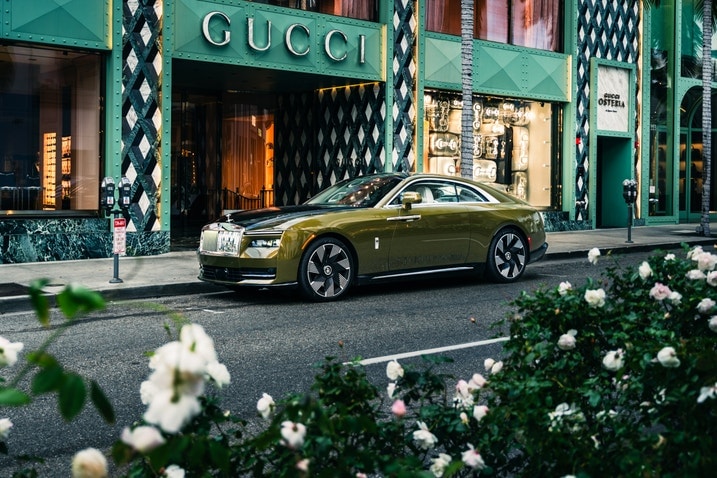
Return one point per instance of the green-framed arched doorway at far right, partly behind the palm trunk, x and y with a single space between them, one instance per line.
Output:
691 177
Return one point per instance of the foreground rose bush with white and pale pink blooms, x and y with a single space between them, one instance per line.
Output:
617 376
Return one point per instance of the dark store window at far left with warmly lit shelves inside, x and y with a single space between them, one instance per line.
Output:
49 130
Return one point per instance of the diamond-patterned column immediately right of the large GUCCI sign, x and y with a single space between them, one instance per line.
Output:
404 72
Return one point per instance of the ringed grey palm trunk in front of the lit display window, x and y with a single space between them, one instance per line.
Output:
466 166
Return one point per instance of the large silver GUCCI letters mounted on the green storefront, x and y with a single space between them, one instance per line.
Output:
296 38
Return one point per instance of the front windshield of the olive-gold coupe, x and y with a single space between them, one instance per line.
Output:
363 191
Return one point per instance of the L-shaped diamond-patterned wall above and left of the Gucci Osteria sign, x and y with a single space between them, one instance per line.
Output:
607 29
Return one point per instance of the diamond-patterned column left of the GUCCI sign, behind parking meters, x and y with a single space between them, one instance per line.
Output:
141 113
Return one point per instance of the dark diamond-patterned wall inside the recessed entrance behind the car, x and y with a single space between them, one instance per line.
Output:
327 136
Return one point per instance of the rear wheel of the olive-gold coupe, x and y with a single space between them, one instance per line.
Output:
507 256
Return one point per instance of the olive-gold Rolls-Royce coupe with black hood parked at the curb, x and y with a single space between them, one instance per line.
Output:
372 228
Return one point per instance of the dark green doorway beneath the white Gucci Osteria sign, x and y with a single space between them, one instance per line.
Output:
614 159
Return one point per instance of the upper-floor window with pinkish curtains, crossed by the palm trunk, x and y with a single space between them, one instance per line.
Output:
529 23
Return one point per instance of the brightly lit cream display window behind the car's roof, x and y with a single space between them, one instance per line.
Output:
512 143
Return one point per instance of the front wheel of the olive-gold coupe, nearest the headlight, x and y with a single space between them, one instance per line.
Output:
326 270
